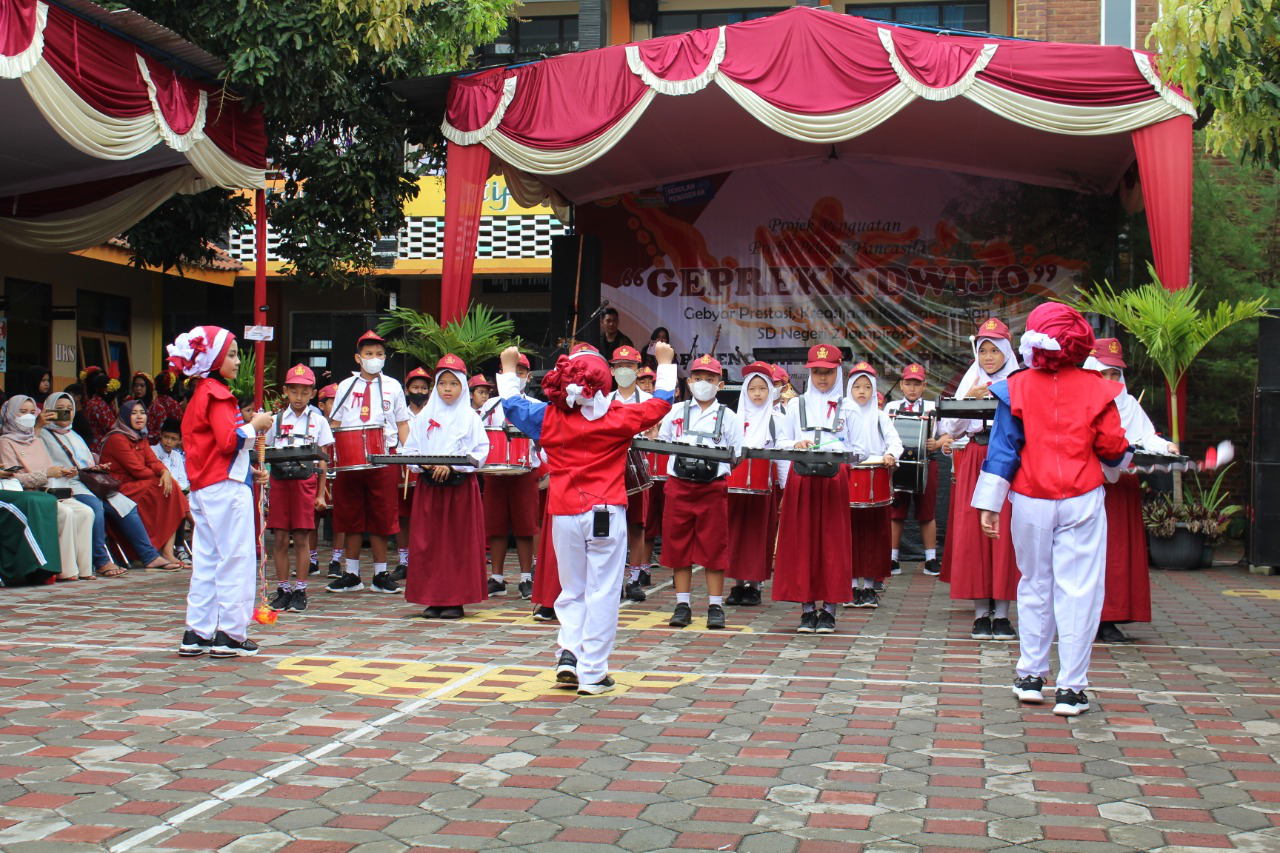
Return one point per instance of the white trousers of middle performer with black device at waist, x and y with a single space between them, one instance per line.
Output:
591 572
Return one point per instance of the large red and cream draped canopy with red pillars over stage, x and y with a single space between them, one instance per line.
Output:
807 85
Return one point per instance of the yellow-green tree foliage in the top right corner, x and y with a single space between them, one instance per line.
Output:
1226 54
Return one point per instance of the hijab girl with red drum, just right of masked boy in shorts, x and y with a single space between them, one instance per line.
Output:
753 519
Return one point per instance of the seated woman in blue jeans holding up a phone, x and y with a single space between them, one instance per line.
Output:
70 450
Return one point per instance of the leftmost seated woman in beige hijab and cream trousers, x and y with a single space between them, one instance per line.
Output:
20 449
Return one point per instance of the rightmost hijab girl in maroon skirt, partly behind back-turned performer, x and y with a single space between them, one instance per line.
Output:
1128 581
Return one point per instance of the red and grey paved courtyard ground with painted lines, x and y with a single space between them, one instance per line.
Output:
360 727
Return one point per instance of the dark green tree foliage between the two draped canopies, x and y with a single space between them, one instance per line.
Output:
335 131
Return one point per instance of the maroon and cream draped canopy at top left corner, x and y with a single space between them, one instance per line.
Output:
99 131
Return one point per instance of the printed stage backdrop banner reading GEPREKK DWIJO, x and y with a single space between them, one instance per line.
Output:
894 264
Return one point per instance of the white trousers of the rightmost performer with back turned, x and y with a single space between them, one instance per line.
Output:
1062 549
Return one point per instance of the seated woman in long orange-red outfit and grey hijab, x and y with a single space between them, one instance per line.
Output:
144 480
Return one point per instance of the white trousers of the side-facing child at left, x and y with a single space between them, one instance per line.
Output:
223 560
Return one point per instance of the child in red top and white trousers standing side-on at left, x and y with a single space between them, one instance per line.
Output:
223 549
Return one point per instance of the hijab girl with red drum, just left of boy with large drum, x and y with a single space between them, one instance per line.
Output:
872 527
